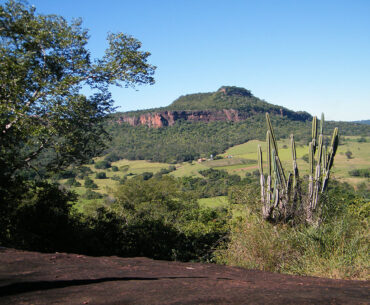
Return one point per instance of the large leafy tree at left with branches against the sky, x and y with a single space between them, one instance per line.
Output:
45 120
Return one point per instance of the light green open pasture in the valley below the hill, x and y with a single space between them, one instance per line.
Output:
239 160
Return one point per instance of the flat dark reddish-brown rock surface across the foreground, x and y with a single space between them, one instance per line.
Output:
60 278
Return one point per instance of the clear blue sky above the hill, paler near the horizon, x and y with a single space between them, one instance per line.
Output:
305 54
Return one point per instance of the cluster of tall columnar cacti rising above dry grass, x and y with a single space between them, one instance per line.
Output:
282 195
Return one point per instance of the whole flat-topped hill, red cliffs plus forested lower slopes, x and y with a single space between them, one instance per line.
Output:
201 124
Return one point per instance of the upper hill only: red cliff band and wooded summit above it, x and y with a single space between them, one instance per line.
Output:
226 104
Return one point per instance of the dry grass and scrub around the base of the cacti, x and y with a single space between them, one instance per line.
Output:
336 248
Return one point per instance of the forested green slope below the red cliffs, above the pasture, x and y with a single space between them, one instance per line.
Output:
188 140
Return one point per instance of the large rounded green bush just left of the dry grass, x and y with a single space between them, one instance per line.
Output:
170 222
